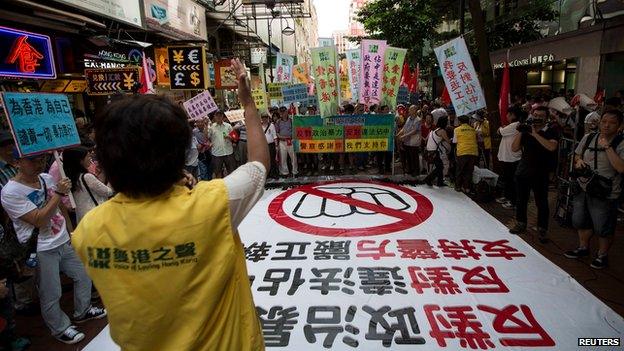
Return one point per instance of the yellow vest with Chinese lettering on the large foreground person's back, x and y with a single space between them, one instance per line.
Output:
171 271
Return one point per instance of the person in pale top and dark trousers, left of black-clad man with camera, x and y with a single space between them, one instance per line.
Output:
509 158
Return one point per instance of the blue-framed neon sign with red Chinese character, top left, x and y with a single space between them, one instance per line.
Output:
25 55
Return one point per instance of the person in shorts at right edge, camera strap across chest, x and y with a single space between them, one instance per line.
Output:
599 164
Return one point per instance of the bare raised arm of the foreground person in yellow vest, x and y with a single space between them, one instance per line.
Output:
257 148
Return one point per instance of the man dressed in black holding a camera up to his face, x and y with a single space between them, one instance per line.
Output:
538 142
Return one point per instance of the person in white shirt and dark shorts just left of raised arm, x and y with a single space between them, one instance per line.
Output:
222 147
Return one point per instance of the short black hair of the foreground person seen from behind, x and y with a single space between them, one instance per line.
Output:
142 142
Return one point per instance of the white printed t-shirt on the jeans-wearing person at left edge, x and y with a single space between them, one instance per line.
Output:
19 199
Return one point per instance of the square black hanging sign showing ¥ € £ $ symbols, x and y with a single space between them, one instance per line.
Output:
186 67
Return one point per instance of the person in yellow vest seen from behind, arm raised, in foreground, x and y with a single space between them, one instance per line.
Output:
167 259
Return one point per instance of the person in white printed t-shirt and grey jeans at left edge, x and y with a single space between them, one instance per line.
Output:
33 202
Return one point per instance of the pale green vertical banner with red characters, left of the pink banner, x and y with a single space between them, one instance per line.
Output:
326 79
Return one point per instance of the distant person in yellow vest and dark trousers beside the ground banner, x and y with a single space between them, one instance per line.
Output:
467 151
